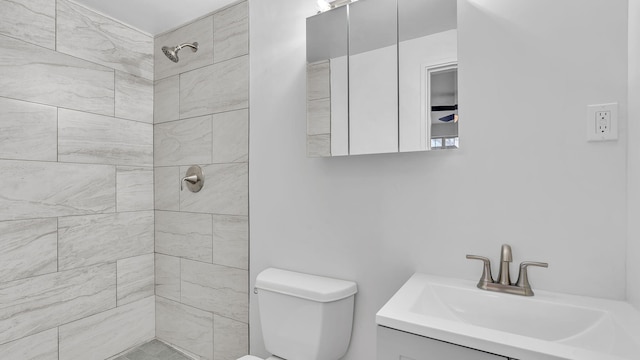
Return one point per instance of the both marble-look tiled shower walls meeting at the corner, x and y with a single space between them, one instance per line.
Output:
99 249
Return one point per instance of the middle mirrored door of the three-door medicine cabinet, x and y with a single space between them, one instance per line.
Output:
373 77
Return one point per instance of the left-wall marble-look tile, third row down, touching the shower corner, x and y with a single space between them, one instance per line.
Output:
97 139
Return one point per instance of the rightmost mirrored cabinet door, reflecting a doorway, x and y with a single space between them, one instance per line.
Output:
428 75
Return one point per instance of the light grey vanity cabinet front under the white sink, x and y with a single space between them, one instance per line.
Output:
398 345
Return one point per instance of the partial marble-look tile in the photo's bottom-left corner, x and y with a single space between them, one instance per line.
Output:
41 346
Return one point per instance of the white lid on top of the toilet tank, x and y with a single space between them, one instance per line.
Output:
305 286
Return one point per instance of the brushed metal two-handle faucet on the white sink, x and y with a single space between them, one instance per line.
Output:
504 284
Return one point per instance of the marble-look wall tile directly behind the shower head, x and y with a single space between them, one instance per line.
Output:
200 31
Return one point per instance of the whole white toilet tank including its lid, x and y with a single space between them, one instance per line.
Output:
305 317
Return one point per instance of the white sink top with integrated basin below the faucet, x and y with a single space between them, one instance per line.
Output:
545 326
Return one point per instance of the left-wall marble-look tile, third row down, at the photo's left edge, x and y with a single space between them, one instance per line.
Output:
28 131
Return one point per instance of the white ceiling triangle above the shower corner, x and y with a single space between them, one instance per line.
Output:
155 16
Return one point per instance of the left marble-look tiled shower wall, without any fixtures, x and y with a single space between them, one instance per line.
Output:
100 194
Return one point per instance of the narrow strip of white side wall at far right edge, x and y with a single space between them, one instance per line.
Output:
633 253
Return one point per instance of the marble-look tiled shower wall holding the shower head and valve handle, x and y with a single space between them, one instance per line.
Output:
201 117
